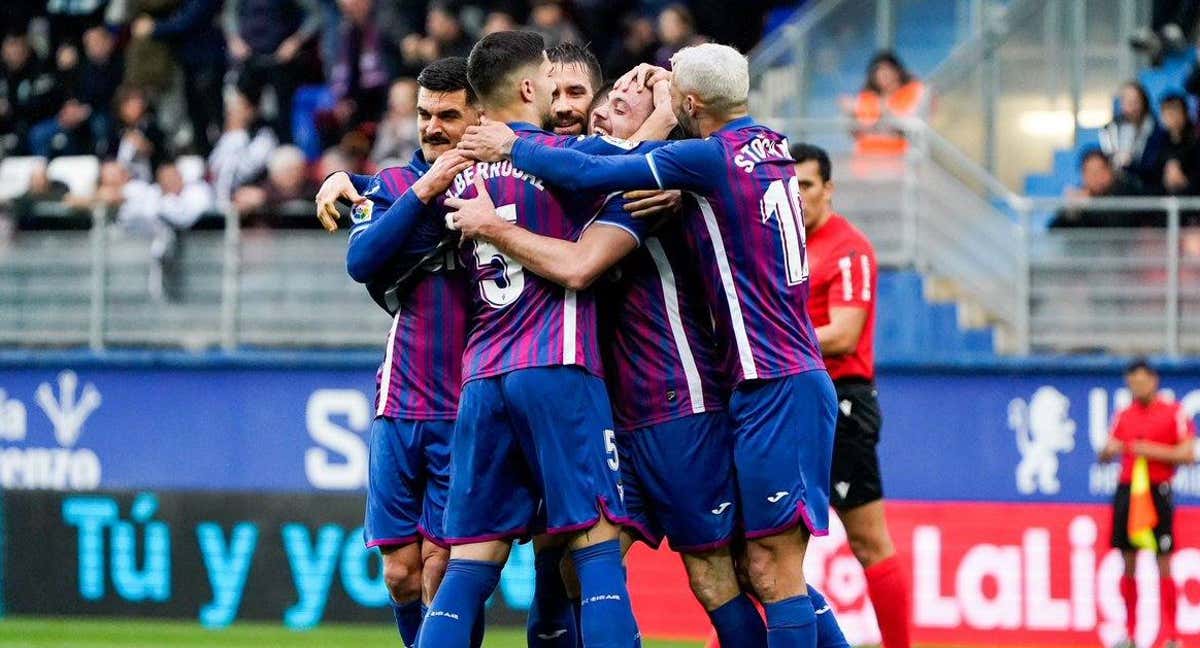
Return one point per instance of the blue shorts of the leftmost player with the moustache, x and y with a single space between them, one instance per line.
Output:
407 482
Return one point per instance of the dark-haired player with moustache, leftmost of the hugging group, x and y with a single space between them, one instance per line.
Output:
418 383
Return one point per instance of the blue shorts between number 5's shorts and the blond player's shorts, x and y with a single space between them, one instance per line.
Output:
679 482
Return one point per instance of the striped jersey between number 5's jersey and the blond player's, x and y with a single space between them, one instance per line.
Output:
661 355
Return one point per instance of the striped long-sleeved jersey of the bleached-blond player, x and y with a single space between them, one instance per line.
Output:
748 236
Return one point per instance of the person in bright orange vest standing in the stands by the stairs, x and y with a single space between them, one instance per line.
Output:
890 95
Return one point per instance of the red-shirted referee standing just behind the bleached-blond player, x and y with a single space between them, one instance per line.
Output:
842 285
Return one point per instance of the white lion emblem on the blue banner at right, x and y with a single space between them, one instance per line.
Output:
1043 429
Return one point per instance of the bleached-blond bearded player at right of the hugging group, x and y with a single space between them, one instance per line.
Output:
749 239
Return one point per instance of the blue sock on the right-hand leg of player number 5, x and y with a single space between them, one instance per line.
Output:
607 617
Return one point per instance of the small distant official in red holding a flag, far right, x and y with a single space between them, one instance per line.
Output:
1159 430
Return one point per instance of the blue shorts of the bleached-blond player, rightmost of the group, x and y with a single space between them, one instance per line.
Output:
783 449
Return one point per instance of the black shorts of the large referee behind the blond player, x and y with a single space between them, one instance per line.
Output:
855 479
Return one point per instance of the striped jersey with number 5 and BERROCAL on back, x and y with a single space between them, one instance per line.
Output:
521 320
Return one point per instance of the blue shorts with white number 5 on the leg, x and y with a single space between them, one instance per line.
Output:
535 452
